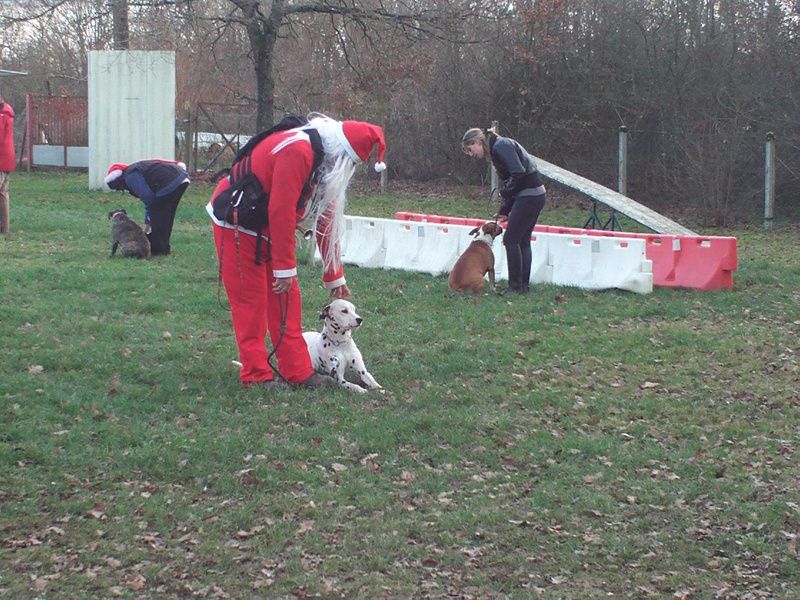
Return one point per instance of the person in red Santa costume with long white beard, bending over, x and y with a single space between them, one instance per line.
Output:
266 297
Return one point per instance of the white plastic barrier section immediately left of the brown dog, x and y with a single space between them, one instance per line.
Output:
422 247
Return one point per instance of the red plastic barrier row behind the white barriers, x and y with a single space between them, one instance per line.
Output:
681 261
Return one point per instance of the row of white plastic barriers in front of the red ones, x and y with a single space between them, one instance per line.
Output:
583 261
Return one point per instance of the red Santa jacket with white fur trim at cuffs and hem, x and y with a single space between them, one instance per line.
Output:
282 163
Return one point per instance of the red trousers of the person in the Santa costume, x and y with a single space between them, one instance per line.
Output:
255 309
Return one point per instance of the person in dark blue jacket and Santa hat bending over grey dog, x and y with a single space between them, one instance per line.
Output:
159 184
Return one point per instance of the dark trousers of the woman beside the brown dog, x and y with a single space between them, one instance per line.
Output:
517 239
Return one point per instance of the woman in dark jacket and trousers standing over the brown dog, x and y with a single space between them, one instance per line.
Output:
523 195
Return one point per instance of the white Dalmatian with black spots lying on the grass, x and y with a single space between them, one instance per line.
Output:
333 351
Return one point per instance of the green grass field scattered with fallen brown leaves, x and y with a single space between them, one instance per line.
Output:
567 444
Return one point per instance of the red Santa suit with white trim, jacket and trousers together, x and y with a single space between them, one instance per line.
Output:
282 162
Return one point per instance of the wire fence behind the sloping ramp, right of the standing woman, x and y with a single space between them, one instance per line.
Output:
717 172
